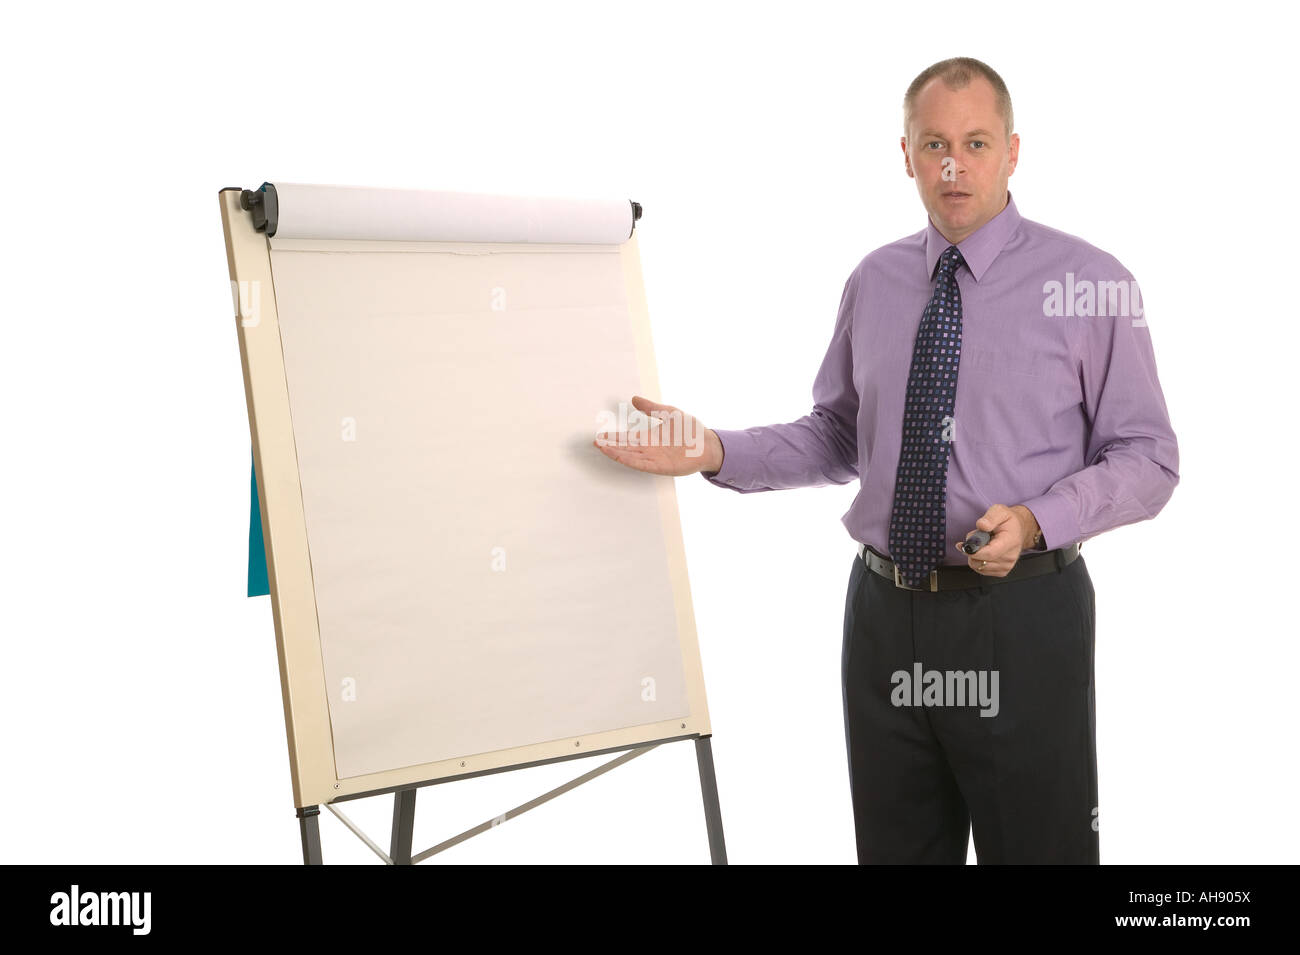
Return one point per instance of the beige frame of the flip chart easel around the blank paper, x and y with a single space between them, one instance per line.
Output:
302 674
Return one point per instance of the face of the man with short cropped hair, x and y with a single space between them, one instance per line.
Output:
959 154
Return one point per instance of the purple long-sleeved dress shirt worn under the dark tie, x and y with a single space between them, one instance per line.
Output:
1059 406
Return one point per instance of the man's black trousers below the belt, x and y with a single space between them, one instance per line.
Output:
1017 765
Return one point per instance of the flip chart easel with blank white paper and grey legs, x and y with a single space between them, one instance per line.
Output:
461 585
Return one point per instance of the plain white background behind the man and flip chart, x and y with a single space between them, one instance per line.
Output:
142 717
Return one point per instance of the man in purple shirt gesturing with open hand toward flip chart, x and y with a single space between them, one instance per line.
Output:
987 374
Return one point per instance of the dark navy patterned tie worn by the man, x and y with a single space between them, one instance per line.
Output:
918 520
